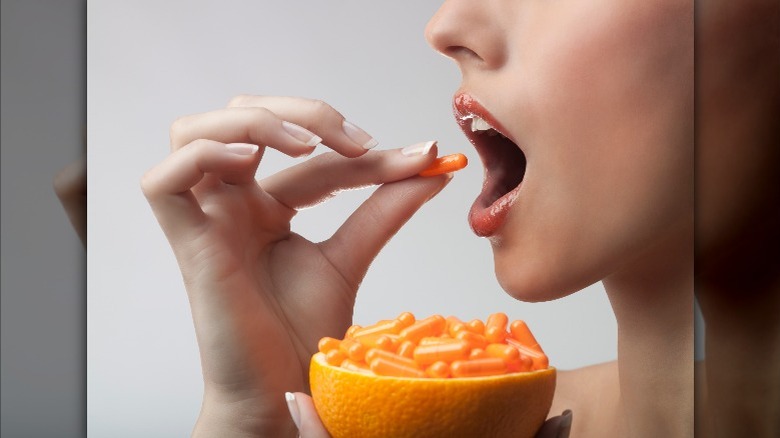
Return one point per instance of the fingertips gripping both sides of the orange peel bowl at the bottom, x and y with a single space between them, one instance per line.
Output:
305 416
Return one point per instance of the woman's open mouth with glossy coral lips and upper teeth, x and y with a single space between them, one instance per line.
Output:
504 163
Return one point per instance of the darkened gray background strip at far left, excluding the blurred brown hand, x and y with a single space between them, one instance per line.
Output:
43 298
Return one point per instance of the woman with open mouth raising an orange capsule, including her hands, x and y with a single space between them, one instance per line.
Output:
591 180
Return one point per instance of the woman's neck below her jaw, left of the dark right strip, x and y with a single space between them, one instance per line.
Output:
652 298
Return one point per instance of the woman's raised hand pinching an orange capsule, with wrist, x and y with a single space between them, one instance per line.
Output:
261 295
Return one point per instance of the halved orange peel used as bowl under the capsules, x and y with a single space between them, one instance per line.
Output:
355 403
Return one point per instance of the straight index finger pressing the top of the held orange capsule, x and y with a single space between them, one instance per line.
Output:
319 178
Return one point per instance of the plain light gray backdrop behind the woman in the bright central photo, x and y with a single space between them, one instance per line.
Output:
150 62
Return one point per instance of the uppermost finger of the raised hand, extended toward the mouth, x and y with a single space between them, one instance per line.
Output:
341 135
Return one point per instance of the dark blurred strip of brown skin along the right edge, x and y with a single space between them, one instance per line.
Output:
738 280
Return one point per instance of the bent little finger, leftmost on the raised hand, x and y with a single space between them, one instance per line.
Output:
168 186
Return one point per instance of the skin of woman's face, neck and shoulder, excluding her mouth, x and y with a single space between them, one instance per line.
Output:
607 128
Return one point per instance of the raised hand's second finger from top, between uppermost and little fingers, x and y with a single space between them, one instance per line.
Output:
244 125
